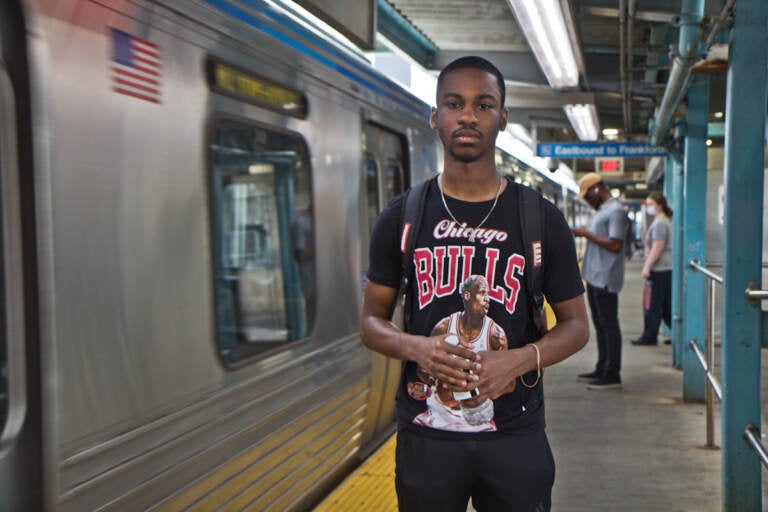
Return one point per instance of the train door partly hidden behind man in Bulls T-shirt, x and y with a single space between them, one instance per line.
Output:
385 170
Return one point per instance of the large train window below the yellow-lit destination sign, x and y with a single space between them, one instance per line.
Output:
263 238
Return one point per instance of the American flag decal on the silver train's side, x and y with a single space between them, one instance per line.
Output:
135 66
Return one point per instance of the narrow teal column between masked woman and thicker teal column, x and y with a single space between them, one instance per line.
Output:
677 260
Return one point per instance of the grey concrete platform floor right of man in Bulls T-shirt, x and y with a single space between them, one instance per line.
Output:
638 448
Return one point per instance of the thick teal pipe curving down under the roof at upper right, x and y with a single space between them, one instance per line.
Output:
685 57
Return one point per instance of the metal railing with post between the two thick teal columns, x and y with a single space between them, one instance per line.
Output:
708 362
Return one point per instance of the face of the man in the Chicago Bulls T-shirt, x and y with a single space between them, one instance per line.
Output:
469 115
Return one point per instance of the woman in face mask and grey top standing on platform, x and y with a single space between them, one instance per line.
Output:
657 271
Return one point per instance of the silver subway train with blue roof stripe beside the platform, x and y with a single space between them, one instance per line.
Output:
186 191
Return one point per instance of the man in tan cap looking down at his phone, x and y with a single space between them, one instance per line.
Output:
603 270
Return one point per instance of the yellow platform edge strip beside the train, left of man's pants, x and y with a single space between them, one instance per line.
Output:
369 487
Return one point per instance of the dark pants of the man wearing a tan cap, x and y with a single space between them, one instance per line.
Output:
604 306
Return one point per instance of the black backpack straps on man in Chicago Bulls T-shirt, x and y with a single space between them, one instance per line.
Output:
530 205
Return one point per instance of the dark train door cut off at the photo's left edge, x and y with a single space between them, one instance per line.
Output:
20 439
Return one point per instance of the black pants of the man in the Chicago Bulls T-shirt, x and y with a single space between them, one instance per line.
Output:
508 473
